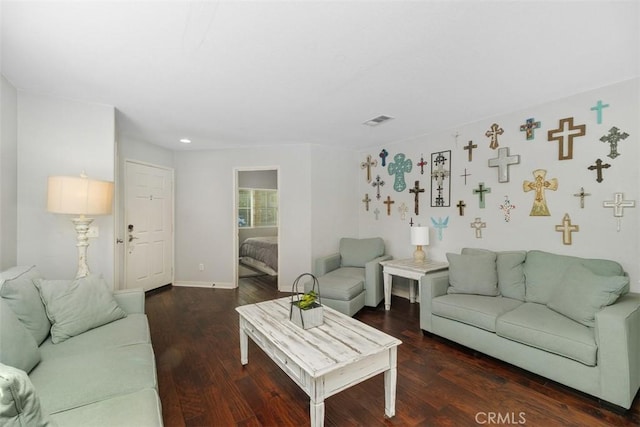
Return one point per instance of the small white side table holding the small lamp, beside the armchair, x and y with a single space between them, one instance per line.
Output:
409 269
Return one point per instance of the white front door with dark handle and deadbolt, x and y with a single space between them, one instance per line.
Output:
148 226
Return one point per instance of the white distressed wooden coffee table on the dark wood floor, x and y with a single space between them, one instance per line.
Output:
323 360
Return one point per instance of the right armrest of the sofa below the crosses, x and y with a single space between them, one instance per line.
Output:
618 333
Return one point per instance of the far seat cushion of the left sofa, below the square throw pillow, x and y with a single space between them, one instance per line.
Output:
133 329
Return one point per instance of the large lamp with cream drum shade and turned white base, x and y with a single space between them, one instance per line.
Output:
81 196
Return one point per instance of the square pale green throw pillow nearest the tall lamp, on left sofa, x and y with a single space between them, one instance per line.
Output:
75 306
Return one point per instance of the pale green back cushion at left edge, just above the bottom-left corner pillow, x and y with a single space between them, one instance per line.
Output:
18 348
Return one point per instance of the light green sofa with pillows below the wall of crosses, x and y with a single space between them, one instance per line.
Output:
569 319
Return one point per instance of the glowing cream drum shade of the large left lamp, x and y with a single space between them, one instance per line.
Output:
79 196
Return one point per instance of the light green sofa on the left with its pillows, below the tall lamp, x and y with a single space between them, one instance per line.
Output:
104 376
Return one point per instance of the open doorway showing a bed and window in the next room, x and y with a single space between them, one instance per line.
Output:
257 224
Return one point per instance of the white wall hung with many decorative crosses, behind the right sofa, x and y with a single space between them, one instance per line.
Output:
597 237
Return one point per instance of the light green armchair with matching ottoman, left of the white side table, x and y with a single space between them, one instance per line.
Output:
351 278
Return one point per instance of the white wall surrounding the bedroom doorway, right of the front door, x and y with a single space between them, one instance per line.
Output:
205 212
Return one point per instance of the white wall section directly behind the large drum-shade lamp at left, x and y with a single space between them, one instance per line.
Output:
61 137
